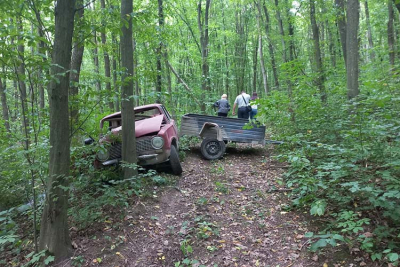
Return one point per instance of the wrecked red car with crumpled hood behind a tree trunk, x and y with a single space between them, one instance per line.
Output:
156 138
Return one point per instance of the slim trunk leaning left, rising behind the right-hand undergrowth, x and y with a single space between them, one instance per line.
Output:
317 53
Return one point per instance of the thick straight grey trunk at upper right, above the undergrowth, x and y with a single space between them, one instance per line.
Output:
353 15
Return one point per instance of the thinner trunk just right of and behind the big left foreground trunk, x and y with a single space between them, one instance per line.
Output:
76 63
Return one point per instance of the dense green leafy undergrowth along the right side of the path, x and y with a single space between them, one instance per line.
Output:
344 164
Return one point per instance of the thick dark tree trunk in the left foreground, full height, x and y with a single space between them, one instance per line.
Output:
54 231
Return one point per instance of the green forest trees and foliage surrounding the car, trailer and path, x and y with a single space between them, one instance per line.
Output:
326 73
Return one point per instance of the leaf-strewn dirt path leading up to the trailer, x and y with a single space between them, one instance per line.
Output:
229 212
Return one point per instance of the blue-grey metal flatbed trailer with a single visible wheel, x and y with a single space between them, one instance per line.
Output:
216 132
